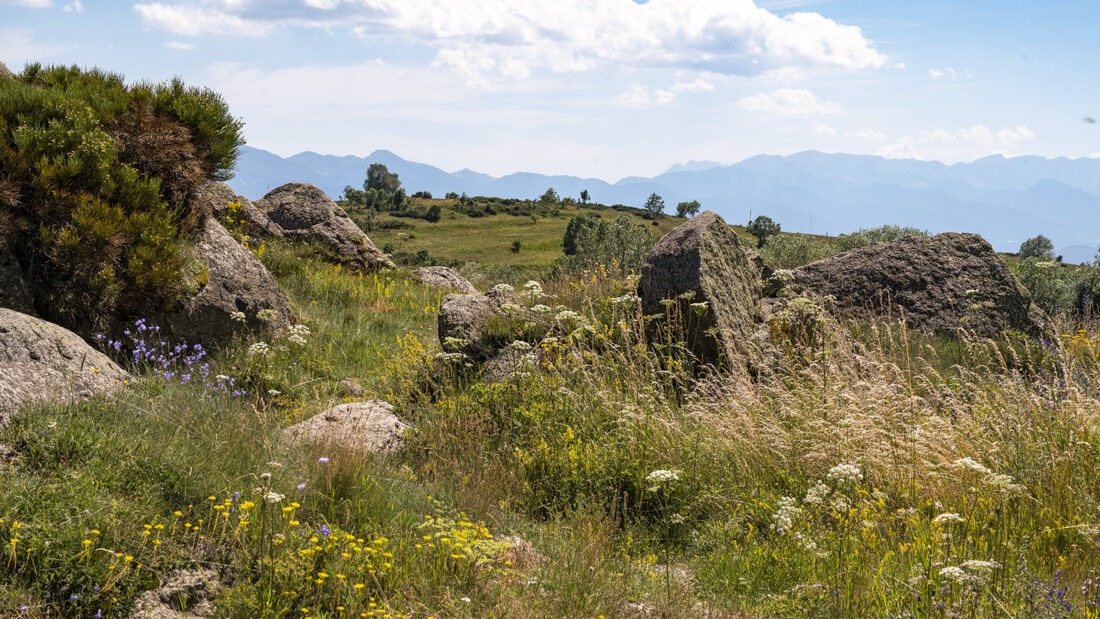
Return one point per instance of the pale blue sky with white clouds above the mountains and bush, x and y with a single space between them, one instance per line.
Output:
606 89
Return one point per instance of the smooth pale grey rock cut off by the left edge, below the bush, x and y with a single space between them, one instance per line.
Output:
40 362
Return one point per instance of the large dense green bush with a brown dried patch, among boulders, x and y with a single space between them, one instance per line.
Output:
100 187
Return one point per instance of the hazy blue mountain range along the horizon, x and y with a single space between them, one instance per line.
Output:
1006 201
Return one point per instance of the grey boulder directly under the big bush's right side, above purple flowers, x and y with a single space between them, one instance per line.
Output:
238 282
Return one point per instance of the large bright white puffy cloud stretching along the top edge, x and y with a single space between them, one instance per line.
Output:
511 40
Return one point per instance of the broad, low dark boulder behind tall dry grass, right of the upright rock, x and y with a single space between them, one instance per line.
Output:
941 283
